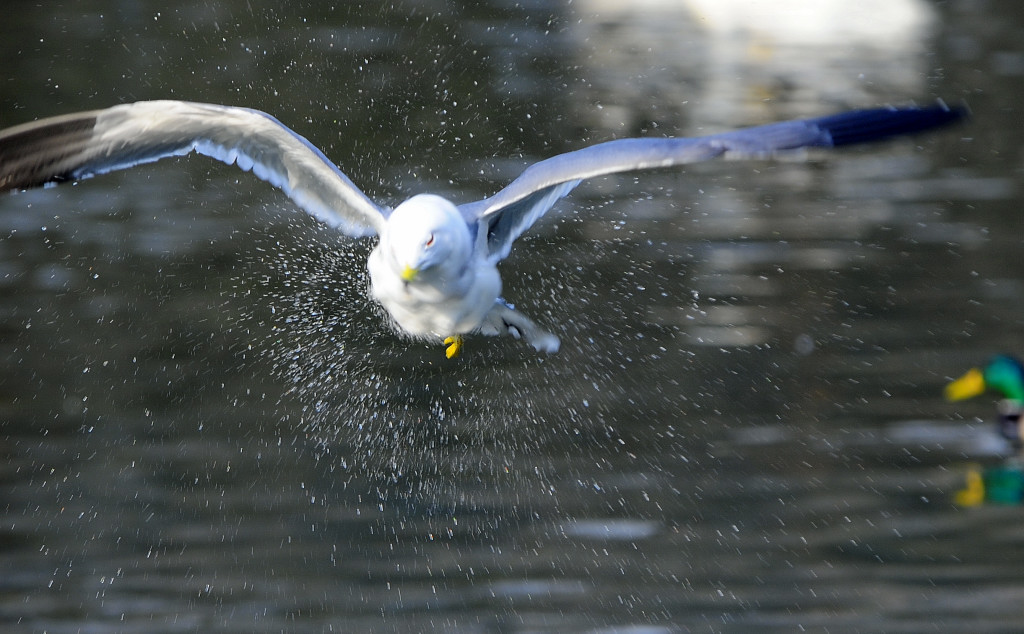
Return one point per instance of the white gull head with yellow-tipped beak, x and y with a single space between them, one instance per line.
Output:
428 238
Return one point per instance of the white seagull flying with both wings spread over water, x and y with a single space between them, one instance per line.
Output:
435 269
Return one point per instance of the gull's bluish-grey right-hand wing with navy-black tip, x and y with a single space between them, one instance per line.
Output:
515 209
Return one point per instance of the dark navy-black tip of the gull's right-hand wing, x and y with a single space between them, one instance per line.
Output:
870 125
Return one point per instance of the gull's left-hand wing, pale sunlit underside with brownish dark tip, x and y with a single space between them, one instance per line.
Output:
82 145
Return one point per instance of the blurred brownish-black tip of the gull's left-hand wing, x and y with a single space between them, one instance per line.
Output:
42 152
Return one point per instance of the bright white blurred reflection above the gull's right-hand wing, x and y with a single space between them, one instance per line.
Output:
719 64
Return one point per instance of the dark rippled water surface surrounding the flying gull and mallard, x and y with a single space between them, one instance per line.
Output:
207 427
